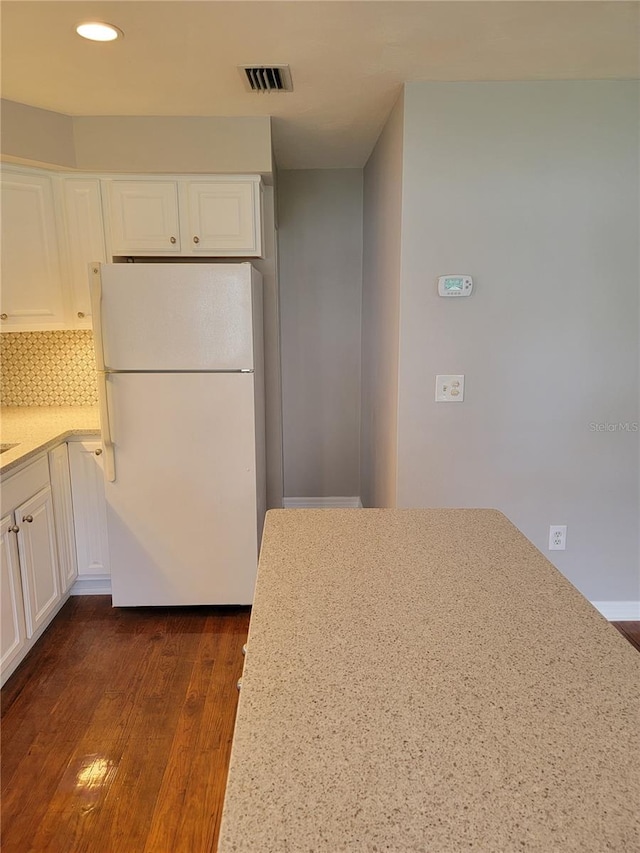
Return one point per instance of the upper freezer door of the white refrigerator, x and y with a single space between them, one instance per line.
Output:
176 316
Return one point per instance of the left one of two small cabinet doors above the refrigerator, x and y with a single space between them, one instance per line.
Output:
143 217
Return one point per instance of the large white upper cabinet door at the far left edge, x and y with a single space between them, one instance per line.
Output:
32 295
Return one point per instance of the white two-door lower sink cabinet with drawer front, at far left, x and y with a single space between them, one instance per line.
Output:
31 590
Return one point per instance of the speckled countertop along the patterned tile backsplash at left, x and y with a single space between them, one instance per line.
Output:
35 429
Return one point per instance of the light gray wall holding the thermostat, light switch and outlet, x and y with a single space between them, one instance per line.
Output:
533 189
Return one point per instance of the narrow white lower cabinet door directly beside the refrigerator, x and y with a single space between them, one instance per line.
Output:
89 508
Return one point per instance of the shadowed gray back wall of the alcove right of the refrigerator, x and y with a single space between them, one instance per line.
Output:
320 247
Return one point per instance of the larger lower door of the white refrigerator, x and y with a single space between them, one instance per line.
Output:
182 513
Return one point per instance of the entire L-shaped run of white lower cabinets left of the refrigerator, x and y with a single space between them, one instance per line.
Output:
53 537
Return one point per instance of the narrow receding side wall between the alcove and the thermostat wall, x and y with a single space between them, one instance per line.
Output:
380 314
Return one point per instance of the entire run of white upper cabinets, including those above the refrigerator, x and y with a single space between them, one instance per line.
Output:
54 225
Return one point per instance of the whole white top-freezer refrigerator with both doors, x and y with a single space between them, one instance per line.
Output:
181 391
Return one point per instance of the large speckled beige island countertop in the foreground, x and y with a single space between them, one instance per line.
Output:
425 680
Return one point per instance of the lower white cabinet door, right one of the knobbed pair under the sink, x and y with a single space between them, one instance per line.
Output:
38 558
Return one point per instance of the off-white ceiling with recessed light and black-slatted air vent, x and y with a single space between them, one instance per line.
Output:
348 59
